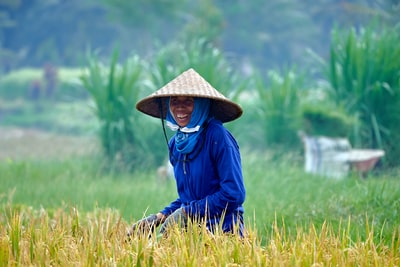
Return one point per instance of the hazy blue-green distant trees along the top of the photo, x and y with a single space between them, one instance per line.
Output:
268 33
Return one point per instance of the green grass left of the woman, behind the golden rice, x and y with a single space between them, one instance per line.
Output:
79 183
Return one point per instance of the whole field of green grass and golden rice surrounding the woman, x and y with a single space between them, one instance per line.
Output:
67 211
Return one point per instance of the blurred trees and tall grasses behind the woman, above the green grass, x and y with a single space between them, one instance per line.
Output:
328 68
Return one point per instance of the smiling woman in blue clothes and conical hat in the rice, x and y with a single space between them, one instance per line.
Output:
204 155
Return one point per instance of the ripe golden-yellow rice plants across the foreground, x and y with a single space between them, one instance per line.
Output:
35 237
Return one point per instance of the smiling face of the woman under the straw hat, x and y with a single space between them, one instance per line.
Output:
181 108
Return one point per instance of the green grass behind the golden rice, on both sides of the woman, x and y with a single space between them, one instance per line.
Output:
276 191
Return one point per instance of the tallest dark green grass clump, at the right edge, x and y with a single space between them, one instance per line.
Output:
364 74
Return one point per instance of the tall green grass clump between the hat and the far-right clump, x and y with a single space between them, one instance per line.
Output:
276 108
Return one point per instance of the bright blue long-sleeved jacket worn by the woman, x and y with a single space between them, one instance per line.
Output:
209 180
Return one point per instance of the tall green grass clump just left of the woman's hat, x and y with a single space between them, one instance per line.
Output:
115 89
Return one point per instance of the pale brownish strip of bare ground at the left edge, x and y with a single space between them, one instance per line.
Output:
17 143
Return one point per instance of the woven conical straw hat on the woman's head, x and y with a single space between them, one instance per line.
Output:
190 83
